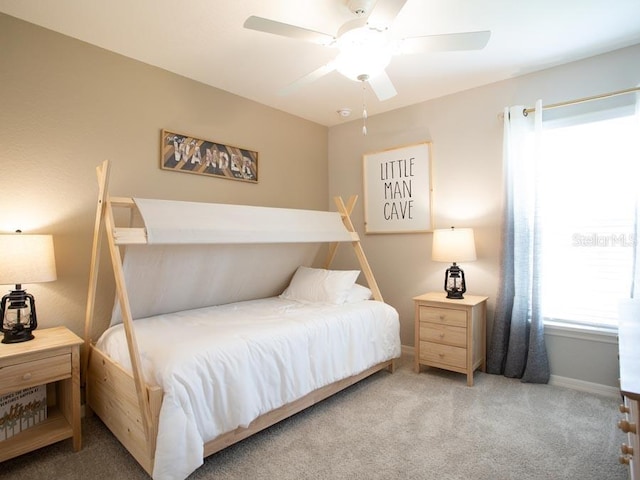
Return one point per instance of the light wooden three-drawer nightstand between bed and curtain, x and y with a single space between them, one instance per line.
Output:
451 334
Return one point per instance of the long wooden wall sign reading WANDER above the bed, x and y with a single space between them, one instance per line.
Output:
185 153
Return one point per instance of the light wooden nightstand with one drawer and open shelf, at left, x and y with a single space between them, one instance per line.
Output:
52 358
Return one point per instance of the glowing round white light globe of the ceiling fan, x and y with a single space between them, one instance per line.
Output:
363 51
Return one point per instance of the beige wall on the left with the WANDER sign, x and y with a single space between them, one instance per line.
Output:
66 106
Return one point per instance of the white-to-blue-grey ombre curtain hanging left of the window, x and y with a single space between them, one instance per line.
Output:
517 348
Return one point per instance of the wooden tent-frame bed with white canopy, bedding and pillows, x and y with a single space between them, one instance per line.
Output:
222 326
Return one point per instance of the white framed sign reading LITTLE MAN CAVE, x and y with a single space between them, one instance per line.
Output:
397 190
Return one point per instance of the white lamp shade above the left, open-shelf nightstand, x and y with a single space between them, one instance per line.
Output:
26 259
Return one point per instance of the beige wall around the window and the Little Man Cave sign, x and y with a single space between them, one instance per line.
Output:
466 136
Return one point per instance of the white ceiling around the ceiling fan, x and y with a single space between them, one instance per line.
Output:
205 40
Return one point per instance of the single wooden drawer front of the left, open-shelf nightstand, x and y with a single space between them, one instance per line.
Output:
36 372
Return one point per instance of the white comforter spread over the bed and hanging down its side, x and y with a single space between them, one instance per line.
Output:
221 367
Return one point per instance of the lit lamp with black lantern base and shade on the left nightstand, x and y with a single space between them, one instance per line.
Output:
23 259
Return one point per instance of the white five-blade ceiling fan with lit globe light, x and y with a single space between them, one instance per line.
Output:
365 45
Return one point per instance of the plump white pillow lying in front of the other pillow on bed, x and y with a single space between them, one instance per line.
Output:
317 285
